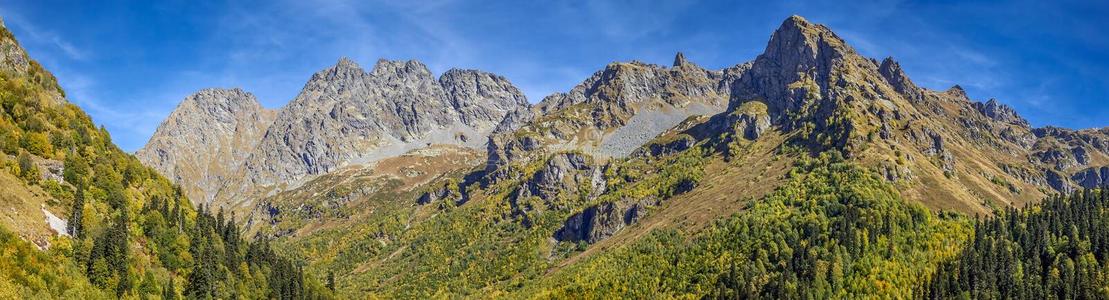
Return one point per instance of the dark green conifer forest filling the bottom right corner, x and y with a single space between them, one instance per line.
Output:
1059 250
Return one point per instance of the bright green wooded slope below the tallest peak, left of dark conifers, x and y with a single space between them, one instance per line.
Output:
806 213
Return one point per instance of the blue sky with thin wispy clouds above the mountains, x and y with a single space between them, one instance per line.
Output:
129 64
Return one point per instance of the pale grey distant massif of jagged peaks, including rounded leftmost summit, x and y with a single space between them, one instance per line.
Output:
221 144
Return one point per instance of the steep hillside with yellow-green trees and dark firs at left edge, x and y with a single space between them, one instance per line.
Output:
85 220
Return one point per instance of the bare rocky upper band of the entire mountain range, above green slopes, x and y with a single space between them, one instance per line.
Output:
952 152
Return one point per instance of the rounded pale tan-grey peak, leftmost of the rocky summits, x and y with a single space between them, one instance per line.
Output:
205 141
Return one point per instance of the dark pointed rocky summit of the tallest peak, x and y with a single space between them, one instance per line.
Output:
808 76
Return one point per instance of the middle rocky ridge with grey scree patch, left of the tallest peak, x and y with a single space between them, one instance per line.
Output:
614 112
